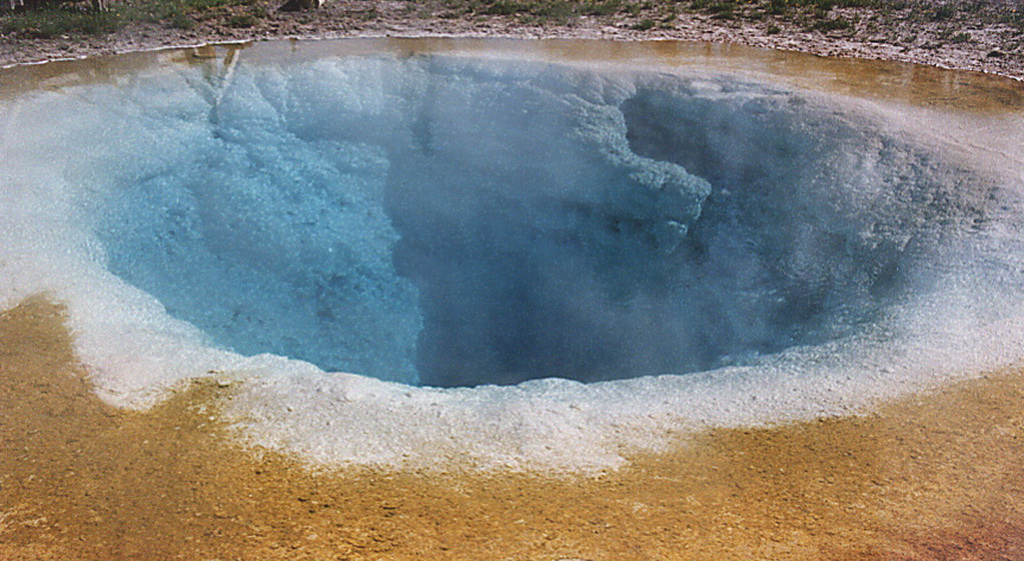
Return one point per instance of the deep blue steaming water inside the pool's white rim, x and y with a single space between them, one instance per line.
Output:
447 222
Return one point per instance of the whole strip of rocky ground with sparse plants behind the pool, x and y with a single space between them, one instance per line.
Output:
983 35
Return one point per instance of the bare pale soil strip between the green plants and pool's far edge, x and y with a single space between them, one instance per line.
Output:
992 49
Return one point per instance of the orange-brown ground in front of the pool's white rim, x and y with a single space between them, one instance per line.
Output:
936 477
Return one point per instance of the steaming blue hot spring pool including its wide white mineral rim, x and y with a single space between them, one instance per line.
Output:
524 260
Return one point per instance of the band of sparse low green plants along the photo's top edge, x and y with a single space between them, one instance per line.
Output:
56 19
